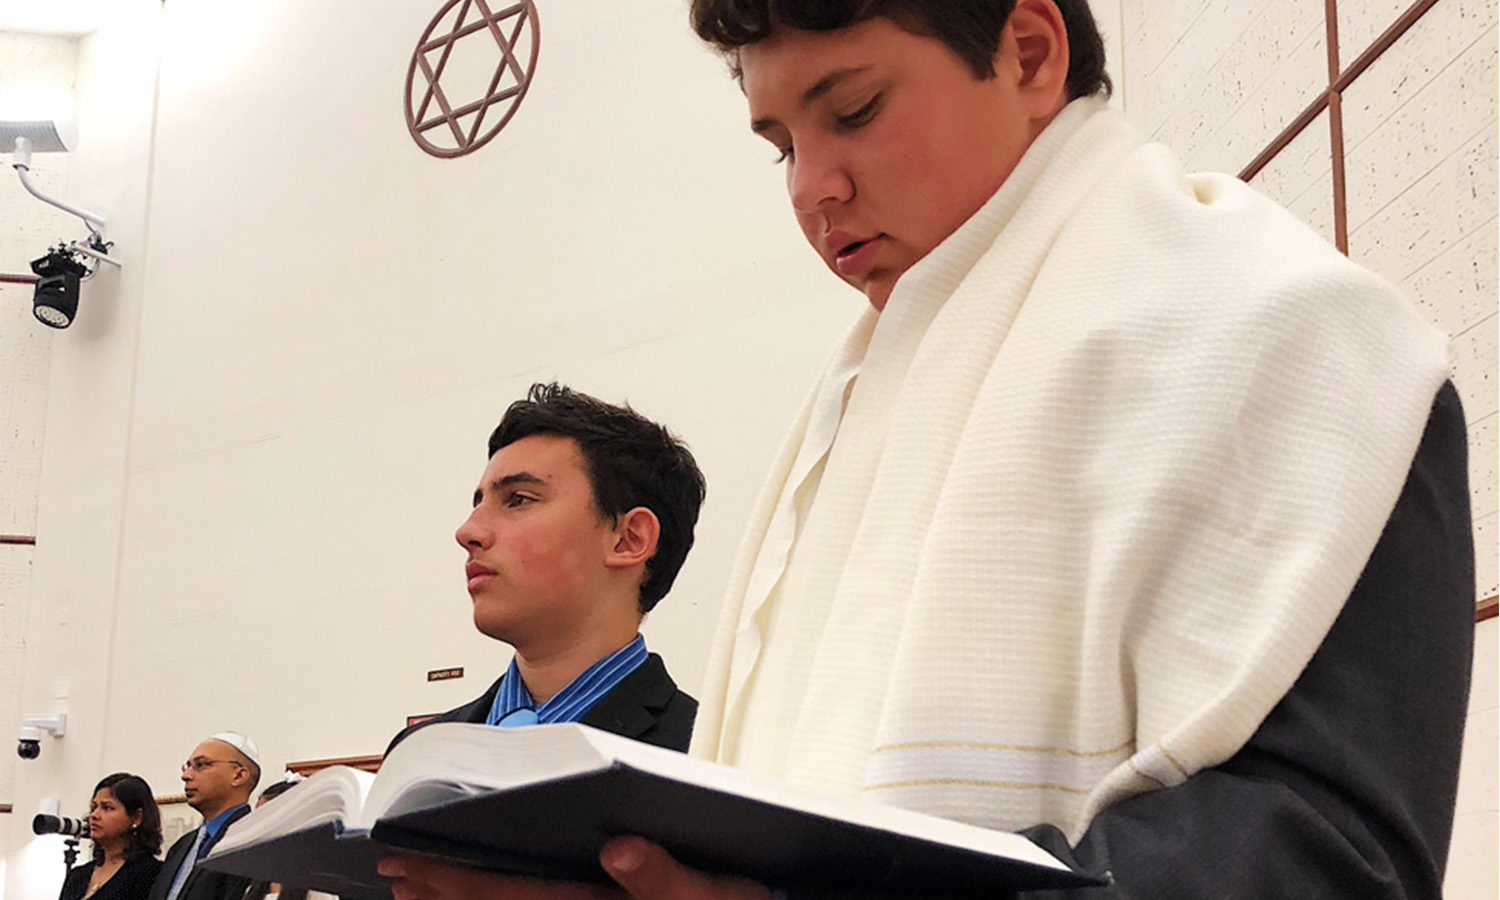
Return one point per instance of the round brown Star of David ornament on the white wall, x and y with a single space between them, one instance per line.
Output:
470 73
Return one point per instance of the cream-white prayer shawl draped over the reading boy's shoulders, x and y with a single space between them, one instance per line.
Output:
1106 470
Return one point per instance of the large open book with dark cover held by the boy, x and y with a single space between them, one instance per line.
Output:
544 800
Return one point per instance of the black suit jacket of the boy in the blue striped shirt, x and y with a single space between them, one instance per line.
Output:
647 707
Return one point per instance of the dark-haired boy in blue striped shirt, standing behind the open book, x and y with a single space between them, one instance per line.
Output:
581 523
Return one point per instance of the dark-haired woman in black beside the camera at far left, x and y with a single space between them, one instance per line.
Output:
127 833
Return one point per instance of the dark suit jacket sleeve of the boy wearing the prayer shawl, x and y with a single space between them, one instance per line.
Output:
1348 790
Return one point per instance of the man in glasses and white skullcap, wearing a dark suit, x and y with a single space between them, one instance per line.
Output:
218 779
